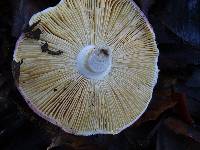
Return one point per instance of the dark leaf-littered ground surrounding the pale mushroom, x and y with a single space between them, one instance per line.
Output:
172 120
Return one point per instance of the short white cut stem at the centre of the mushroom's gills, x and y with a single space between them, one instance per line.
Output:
93 62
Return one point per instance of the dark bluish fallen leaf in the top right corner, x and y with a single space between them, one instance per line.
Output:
182 17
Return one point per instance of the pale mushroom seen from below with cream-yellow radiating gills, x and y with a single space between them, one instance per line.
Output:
93 68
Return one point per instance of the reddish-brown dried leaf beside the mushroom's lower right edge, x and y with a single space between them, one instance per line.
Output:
174 100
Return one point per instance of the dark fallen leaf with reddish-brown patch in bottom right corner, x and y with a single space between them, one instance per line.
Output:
174 134
